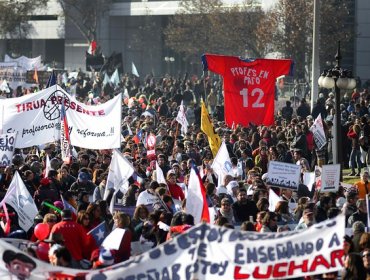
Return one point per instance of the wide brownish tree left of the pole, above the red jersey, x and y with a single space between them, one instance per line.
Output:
209 26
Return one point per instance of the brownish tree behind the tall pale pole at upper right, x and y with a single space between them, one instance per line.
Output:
295 26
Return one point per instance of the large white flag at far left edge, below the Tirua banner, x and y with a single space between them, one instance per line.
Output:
22 202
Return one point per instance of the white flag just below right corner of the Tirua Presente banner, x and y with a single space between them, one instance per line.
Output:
120 170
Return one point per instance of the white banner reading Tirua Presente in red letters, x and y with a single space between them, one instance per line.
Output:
36 119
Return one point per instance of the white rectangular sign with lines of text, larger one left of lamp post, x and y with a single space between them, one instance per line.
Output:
283 175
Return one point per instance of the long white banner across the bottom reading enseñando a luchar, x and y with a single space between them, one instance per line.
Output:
210 252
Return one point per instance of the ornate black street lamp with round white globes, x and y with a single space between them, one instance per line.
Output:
337 78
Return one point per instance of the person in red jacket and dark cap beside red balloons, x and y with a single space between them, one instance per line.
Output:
73 233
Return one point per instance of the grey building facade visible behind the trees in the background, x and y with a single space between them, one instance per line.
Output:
134 28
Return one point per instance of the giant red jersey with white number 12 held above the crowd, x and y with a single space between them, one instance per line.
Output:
249 86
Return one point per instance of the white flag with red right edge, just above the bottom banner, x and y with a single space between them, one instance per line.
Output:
196 201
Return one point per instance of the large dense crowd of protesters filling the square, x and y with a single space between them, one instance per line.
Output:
240 201
